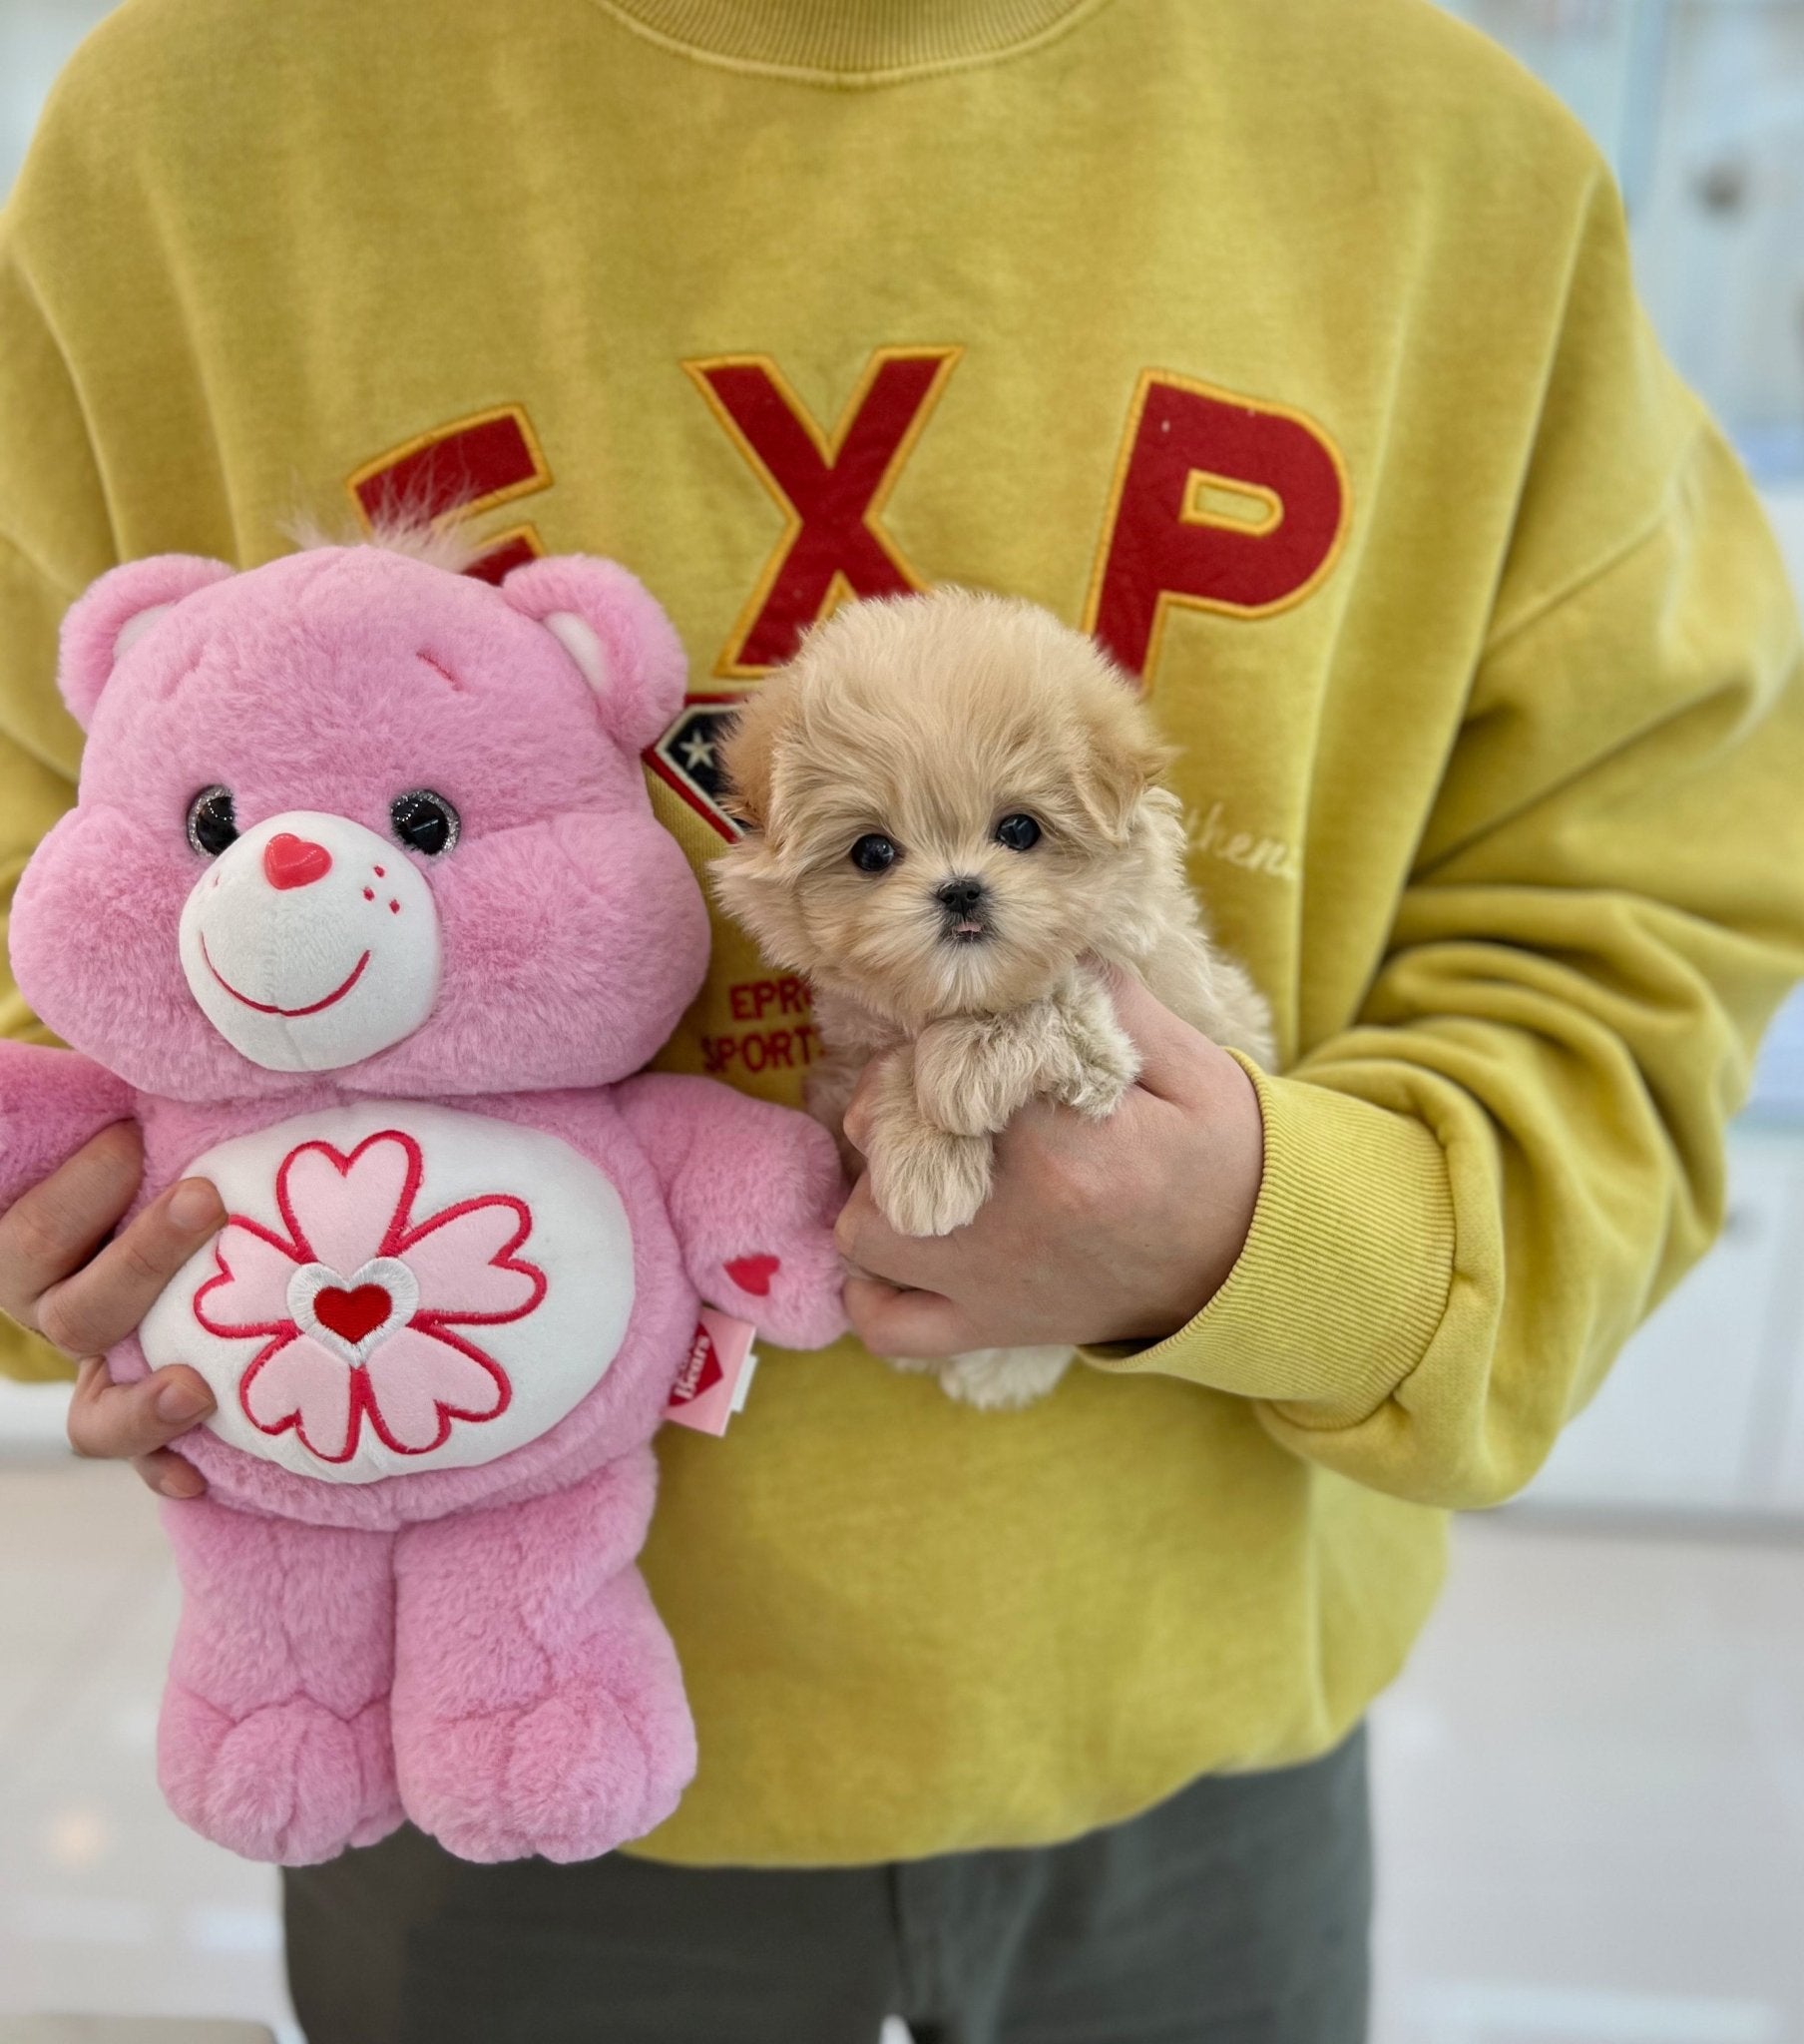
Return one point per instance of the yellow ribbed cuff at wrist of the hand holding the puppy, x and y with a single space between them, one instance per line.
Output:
1345 1272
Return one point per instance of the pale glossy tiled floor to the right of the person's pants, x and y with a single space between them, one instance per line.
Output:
1593 1798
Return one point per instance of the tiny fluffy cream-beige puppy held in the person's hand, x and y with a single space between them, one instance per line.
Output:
953 815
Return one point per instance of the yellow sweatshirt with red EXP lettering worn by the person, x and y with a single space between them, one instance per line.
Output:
1290 346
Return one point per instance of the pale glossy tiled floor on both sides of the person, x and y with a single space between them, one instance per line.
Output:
1591 1790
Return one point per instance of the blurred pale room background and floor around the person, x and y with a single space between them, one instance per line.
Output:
1593 1777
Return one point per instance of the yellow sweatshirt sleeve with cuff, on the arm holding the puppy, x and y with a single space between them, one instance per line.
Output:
1478 1189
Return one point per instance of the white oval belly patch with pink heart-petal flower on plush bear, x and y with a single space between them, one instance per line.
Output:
399 1289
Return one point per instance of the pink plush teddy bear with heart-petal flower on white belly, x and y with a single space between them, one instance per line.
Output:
363 915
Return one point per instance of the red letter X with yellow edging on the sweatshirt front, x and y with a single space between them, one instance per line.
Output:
830 490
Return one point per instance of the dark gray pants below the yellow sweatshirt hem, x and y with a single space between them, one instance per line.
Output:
1233 1914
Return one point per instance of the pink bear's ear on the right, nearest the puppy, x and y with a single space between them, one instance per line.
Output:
616 633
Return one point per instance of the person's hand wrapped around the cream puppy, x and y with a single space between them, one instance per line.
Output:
1117 1229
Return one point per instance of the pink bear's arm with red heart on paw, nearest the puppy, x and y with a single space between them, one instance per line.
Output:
753 1193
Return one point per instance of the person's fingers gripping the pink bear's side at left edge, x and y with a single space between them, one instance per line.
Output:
58 1281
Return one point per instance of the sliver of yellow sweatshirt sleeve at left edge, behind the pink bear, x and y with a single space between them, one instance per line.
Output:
54 539
